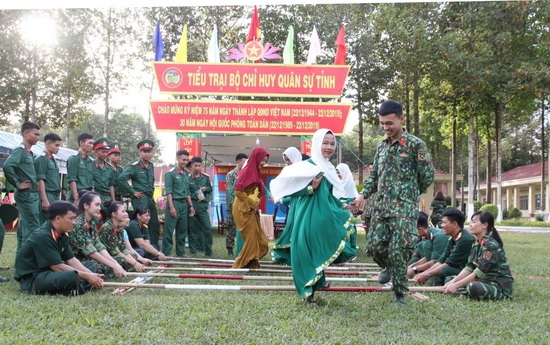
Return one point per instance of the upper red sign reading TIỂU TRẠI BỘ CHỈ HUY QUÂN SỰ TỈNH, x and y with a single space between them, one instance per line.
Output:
251 79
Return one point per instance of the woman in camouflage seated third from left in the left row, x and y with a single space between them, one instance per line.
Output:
111 234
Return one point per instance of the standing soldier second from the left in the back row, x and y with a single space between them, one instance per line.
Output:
47 174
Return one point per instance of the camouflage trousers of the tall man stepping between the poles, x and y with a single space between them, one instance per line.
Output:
391 242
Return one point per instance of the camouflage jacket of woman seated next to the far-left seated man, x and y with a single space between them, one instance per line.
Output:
84 237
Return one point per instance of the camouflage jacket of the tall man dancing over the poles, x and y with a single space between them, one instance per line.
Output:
402 170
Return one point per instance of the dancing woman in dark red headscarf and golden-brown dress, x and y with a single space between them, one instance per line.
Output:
248 191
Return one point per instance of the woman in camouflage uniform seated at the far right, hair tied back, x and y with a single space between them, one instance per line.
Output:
487 275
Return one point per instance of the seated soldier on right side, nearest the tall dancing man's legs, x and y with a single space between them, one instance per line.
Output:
429 249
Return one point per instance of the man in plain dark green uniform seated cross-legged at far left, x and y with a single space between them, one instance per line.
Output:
45 264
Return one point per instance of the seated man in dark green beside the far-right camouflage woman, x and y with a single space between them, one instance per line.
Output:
456 253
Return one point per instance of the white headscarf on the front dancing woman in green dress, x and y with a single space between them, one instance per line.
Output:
297 176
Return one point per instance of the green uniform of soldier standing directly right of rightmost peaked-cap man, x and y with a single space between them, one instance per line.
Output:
176 182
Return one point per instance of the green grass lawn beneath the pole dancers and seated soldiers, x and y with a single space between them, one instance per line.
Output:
151 316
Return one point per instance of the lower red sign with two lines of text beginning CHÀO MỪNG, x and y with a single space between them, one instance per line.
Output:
297 118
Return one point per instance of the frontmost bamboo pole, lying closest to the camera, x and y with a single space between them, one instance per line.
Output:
270 287
